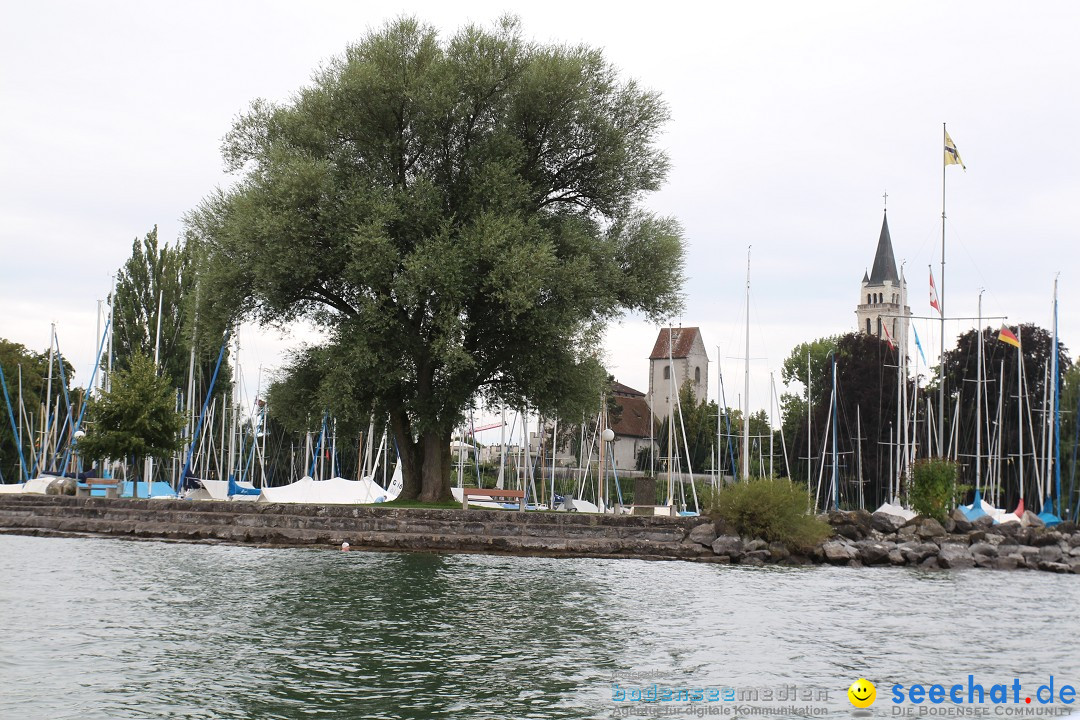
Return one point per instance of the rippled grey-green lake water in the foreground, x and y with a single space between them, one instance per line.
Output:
109 629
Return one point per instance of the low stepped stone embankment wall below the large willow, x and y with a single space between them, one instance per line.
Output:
363 527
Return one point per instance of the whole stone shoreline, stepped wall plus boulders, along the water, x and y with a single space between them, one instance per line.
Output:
859 539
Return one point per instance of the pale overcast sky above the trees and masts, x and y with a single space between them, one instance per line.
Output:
790 121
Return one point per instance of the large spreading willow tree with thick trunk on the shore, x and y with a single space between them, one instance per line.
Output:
462 214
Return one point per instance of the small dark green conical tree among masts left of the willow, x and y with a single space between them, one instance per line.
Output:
137 418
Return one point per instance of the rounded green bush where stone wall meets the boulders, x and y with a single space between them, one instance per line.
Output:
774 510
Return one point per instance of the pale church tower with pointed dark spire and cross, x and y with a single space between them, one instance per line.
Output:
883 308
